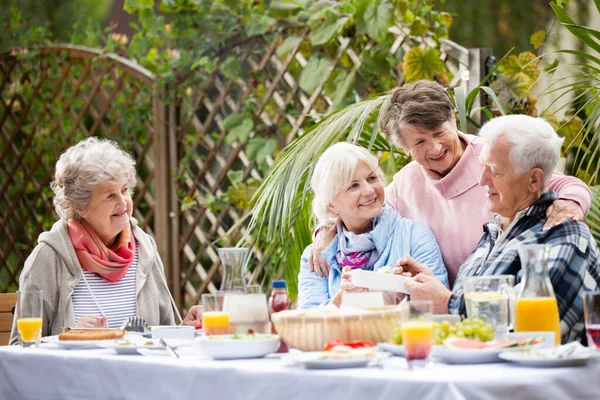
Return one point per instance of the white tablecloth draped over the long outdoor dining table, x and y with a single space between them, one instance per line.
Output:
46 373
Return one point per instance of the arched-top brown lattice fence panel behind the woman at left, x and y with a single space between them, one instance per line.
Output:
50 98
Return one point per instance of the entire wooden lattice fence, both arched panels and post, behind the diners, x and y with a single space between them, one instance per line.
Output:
182 137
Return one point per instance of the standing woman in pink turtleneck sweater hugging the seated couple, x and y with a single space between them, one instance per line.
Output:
441 186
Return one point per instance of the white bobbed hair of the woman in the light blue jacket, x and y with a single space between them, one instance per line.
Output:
333 173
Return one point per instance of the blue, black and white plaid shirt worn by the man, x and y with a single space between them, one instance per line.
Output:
574 263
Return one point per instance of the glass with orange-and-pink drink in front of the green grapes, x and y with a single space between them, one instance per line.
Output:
417 332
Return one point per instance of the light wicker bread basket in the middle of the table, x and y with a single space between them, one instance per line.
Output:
309 330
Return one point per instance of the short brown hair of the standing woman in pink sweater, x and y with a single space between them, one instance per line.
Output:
423 104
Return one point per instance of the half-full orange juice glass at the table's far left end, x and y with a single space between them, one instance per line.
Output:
30 309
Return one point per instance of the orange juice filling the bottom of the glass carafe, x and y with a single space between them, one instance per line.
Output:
538 314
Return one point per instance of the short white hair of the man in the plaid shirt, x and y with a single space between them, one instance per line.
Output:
535 143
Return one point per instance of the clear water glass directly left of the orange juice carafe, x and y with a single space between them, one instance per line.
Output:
492 299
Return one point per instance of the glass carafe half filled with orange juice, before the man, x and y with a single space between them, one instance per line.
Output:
536 309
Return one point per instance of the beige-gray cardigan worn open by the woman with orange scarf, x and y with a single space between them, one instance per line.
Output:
54 268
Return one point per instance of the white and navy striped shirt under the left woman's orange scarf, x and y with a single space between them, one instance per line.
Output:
114 300
